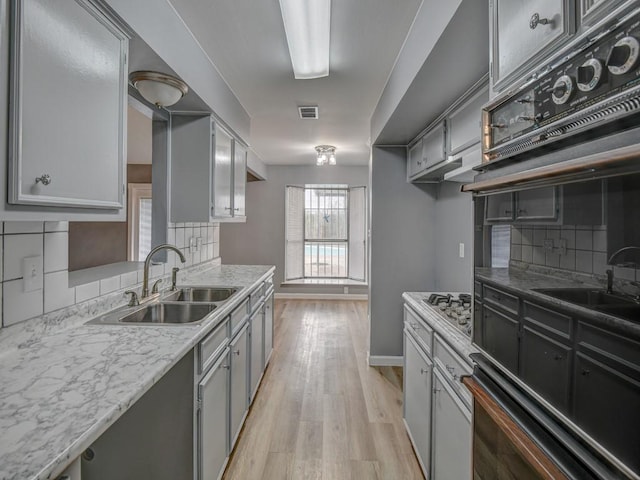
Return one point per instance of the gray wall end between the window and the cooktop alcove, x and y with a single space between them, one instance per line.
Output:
402 246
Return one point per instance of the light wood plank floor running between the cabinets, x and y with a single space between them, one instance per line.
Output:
321 411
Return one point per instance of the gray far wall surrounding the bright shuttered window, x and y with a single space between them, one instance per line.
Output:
260 240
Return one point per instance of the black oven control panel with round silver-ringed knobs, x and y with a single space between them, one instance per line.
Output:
598 85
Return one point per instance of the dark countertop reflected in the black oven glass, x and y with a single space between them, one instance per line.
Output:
522 282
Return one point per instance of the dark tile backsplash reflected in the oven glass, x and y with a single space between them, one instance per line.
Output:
581 249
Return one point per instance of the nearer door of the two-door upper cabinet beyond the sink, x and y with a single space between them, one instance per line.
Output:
222 169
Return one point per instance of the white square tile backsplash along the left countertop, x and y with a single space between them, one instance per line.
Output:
200 243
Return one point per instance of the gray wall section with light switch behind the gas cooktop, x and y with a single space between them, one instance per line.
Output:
454 220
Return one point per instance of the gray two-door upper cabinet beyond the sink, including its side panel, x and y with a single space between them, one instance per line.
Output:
208 171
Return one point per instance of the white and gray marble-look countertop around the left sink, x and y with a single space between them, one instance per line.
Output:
59 393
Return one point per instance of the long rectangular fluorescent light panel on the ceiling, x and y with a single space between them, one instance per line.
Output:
307 24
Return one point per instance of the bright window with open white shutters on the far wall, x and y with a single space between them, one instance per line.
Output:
325 232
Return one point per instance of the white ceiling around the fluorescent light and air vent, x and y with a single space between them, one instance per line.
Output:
245 40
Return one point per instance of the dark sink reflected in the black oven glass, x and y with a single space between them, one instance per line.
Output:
611 303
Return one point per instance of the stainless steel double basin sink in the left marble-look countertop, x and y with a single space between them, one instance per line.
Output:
187 305
